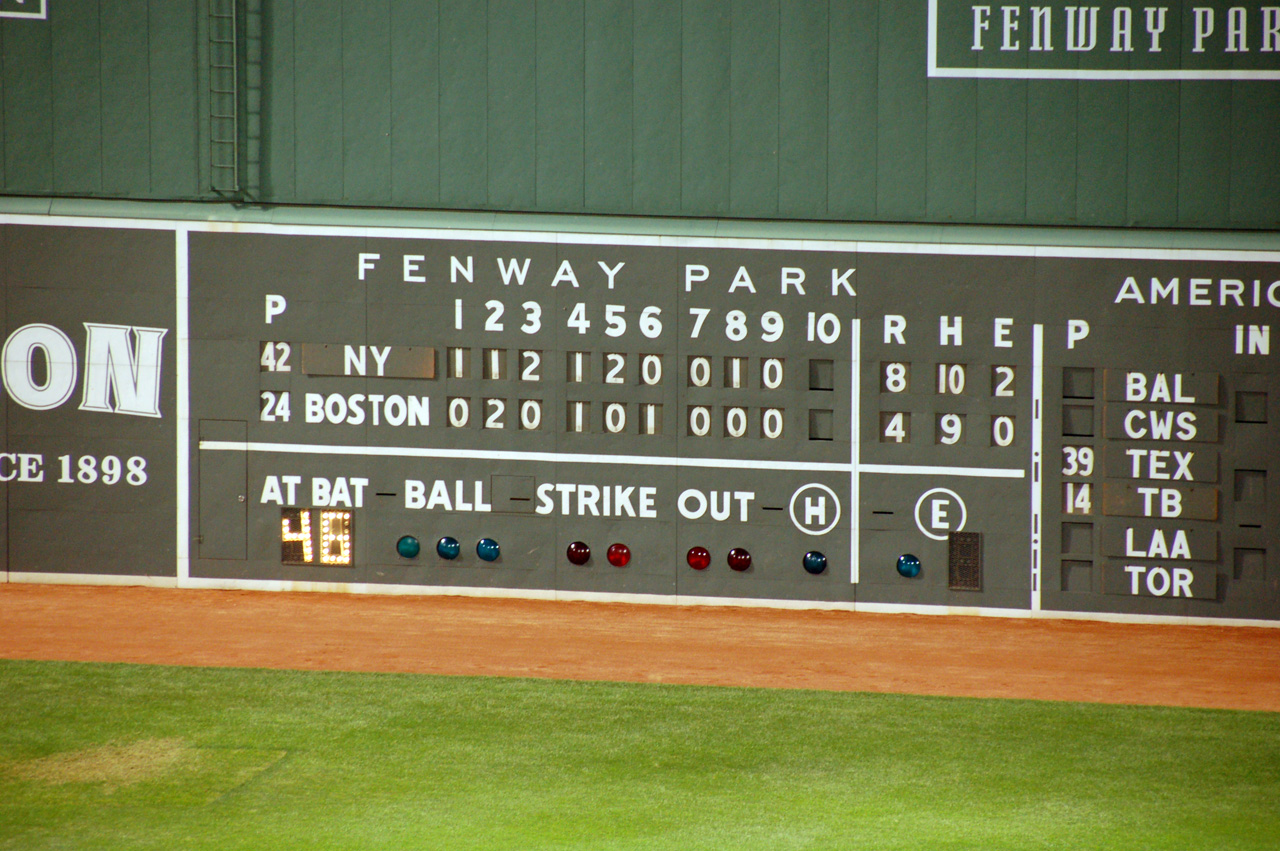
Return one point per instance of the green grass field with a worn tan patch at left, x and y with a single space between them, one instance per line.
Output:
125 757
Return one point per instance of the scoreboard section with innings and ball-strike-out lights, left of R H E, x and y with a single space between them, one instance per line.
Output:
536 396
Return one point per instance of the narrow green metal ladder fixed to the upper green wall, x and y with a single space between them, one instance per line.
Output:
225 152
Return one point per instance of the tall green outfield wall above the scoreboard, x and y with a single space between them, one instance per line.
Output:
922 111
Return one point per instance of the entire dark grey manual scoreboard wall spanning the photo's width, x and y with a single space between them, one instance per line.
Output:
883 425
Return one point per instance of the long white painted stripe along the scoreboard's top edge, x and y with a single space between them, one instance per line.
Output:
550 237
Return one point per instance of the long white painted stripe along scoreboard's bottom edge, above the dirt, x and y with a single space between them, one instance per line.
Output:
643 600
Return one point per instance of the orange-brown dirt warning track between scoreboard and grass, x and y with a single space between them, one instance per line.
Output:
1048 660
